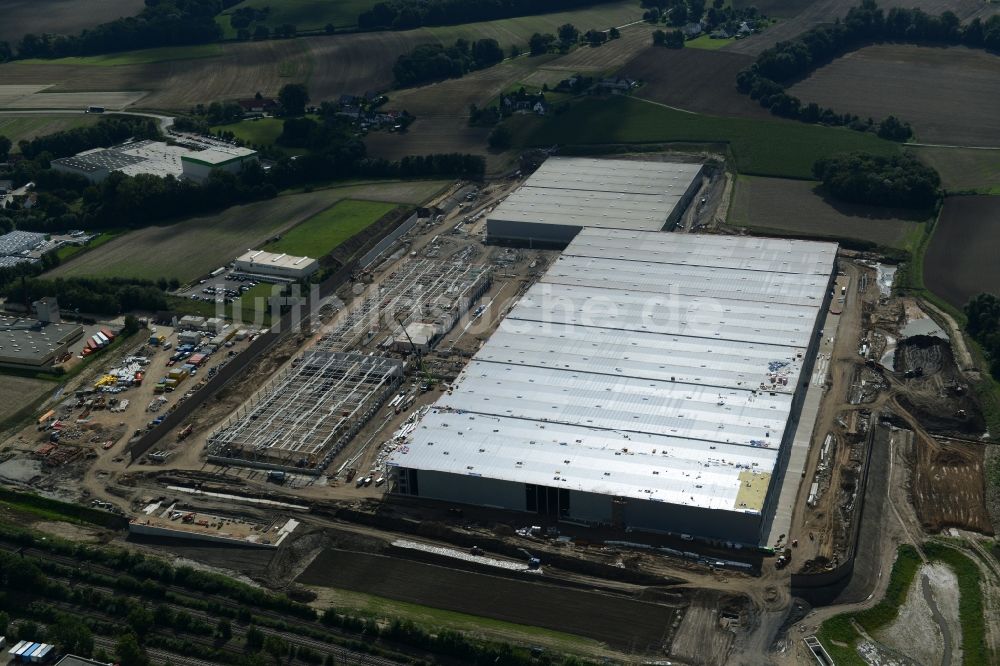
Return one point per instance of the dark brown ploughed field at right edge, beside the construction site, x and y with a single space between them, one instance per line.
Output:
961 258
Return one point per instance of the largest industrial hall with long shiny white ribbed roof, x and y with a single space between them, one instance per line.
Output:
648 381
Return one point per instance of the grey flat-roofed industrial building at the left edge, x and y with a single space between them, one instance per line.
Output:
33 344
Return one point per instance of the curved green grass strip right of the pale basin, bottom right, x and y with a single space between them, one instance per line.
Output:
975 651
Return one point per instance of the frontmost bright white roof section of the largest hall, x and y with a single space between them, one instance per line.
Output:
637 465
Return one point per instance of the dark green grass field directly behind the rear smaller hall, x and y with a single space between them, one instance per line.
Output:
759 147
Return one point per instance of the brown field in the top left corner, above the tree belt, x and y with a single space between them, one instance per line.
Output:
59 16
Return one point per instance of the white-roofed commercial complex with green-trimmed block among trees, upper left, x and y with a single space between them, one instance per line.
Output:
156 158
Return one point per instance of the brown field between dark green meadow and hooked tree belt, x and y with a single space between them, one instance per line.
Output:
693 80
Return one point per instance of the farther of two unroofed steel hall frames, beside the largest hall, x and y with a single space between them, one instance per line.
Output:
421 290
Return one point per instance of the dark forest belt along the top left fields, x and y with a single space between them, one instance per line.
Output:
160 23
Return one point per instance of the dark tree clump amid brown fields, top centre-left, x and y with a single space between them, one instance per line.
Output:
434 62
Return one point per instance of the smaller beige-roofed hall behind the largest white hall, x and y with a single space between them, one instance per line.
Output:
567 194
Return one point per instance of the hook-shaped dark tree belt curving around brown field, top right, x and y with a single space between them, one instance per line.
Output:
788 61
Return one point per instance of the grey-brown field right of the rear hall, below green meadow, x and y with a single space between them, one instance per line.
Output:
794 207
